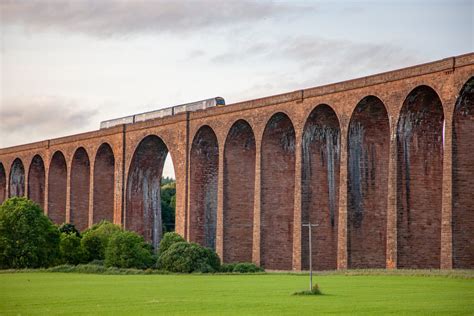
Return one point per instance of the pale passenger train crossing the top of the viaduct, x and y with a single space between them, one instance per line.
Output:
169 111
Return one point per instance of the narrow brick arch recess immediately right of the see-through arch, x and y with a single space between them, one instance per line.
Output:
204 165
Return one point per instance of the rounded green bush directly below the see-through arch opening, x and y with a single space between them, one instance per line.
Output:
127 249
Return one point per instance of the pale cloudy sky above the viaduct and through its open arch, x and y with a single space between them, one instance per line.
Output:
67 65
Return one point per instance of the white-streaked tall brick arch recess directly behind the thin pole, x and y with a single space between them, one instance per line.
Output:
319 184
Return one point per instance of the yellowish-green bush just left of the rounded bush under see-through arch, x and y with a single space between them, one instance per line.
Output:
95 239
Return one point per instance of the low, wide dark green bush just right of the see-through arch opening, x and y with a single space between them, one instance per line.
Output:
187 257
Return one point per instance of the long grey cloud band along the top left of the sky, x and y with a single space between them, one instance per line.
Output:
114 17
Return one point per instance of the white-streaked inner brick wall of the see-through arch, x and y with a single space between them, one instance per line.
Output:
143 200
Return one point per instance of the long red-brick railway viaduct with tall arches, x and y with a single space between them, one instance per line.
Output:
384 164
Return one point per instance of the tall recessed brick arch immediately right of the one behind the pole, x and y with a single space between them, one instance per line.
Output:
367 184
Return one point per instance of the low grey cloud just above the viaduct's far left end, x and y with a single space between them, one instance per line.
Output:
25 120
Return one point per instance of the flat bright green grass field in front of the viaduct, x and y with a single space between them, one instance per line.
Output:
270 294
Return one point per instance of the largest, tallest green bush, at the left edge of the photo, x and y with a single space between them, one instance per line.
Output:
28 239
